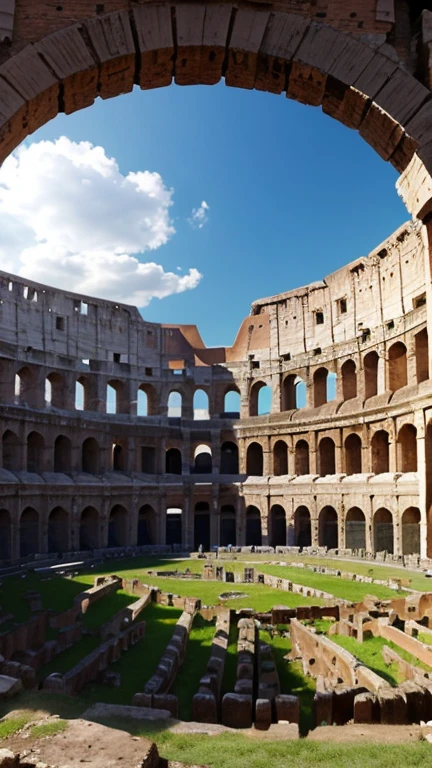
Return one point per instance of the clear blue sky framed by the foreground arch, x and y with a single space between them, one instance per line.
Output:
292 194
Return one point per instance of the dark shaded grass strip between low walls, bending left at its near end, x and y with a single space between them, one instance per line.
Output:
137 665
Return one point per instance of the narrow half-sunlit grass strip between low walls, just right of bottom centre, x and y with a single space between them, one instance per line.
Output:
292 679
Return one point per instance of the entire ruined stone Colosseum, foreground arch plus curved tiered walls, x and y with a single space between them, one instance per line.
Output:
95 452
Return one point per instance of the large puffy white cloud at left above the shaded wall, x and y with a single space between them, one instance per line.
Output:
71 219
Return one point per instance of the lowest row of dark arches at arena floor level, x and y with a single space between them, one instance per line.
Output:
93 534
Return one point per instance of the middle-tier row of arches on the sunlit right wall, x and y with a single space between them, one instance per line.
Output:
406 456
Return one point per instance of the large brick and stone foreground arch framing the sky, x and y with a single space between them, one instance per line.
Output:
363 86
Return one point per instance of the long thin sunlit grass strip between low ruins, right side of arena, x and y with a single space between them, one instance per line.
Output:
348 590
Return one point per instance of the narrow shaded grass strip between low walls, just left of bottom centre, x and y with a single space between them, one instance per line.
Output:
194 666
